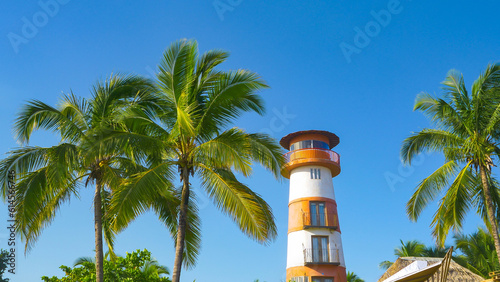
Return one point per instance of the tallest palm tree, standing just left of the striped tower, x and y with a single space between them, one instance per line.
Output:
198 105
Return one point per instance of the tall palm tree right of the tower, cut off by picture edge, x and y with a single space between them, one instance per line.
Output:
467 133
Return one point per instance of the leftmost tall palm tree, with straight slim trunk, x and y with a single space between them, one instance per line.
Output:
50 176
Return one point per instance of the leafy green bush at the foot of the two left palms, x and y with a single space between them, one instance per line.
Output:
137 267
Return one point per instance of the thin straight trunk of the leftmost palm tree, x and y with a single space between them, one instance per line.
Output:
99 271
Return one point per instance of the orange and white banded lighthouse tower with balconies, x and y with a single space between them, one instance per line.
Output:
314 251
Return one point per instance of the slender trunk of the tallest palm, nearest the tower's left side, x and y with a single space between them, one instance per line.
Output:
181 231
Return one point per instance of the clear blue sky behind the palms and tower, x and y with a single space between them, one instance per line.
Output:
366 98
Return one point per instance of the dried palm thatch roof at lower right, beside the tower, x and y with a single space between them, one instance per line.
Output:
456 271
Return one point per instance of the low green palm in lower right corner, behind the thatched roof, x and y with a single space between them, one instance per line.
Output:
478 251
